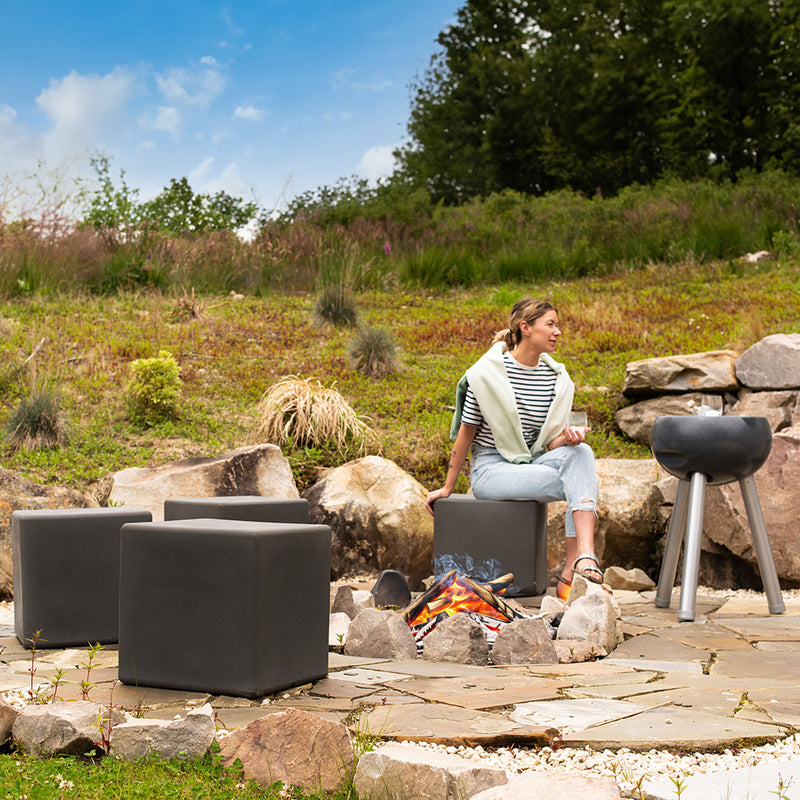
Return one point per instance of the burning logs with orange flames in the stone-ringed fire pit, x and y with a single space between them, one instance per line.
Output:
454 593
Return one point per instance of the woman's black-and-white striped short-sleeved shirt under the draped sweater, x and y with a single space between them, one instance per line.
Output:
534 390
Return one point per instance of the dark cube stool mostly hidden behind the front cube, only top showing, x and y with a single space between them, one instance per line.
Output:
245 507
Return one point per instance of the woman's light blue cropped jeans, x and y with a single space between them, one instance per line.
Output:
564 473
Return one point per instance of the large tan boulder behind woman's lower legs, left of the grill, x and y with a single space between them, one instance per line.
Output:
628 521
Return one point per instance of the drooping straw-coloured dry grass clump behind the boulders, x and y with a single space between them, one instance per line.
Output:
304 413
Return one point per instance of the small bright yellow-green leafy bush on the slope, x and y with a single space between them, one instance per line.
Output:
154 389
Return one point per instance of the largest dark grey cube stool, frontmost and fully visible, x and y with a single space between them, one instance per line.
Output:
224 606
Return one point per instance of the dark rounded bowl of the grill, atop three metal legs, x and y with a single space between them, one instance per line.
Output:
724 449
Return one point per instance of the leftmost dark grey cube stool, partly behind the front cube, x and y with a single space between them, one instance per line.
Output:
66 574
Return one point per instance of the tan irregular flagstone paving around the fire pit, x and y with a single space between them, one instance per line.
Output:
729 678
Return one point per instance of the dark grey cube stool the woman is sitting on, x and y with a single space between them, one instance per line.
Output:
489 538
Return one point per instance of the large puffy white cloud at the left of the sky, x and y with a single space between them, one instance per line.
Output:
81 106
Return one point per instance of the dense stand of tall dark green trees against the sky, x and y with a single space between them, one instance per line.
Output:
535 95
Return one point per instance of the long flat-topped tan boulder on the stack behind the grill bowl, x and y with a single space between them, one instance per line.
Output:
698 372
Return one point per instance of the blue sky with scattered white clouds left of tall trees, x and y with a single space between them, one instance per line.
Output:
261 99
